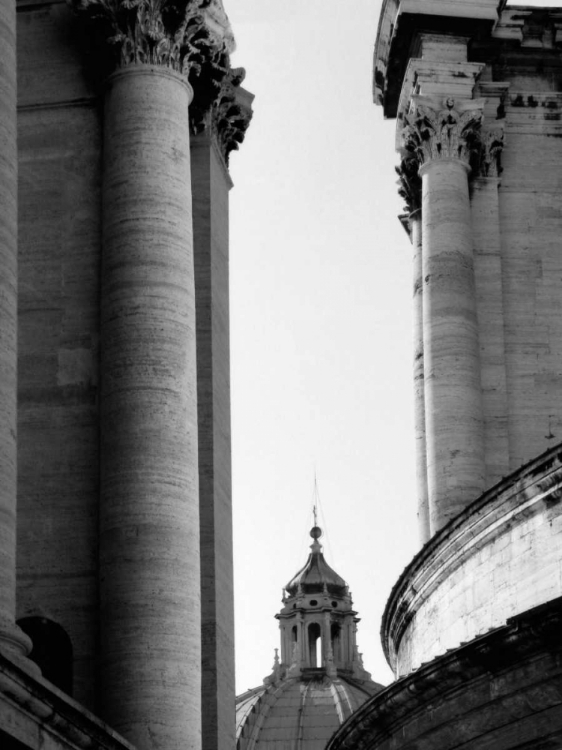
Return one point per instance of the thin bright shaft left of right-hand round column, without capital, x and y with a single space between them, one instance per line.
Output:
419 384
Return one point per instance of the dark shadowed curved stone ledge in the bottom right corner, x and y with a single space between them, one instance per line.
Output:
391 718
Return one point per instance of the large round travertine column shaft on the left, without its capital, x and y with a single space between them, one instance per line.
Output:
149 515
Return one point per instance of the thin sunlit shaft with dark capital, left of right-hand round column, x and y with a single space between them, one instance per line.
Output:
410 190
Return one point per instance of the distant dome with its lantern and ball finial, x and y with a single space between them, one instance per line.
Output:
320 680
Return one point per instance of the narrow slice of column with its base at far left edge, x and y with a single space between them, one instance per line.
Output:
13 642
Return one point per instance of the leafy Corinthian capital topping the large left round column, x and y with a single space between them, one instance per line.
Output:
184 35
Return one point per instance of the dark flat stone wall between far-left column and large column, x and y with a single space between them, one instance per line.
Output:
59 252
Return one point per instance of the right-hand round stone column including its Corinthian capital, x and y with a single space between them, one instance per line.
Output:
443 140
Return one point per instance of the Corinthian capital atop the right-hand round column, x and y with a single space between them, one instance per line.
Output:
443 129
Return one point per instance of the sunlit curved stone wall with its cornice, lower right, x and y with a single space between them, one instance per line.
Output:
498 558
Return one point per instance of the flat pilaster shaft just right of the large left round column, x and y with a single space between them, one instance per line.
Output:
210 186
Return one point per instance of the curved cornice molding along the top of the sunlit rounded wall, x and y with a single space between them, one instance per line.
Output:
523 495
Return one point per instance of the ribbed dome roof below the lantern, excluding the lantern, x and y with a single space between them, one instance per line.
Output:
298 713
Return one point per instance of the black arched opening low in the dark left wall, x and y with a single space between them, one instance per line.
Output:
52 650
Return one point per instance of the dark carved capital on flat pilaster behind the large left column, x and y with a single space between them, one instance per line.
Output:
229 116
